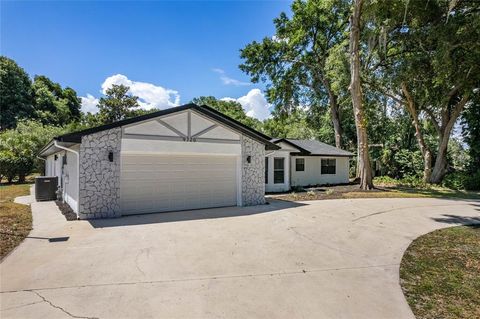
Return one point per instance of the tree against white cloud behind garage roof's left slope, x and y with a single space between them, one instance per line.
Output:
117 104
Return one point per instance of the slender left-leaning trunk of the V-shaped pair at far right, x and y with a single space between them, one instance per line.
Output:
426 153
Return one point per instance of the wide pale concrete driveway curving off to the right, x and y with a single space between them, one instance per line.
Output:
322 259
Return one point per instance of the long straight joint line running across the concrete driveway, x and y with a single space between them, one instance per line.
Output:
219 277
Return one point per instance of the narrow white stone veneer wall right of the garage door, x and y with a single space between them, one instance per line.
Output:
253 179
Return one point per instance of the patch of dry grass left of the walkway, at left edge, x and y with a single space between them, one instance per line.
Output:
15 219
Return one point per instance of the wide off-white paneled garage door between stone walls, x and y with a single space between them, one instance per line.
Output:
160 183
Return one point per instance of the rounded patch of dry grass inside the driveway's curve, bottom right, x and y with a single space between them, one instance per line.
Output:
440 273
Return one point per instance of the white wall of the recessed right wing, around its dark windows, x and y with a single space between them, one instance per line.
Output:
312 174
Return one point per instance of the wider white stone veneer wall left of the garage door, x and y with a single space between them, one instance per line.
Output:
100 178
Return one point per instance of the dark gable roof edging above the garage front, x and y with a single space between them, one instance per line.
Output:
76 137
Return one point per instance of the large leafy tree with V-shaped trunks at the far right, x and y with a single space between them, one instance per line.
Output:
430 66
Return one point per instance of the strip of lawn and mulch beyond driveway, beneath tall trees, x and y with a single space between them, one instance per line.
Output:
381 191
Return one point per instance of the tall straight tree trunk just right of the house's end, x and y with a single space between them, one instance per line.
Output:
364 167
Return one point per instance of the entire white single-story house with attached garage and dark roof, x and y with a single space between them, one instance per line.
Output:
183 158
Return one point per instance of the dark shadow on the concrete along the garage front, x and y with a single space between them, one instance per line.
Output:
209 213
